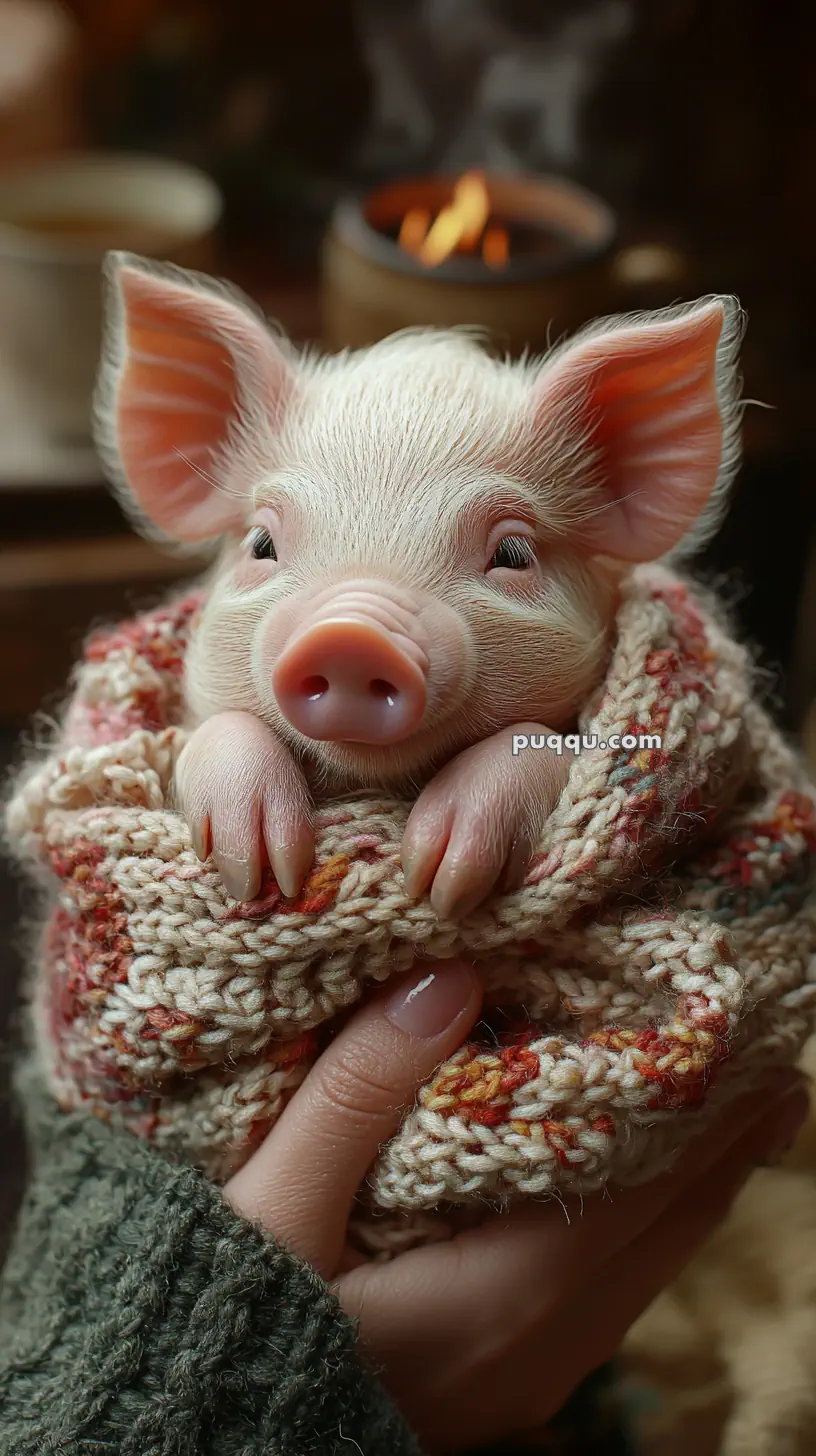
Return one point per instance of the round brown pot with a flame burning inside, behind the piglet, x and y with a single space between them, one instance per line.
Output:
522 257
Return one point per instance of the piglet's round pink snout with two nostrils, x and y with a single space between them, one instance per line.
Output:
356 673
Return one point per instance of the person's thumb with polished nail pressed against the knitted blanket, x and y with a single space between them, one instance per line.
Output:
302 1182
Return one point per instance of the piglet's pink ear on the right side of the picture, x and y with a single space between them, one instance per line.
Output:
655 401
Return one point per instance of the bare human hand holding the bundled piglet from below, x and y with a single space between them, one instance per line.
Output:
484 1336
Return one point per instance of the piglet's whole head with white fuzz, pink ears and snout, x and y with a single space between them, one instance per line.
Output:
419 544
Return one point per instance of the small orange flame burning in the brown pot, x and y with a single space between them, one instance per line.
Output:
458 228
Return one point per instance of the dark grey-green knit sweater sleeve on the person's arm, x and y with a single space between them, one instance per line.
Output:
139 1317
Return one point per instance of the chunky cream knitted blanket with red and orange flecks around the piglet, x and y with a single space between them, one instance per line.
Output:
658 957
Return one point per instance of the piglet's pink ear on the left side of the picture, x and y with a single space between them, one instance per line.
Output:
192 379
